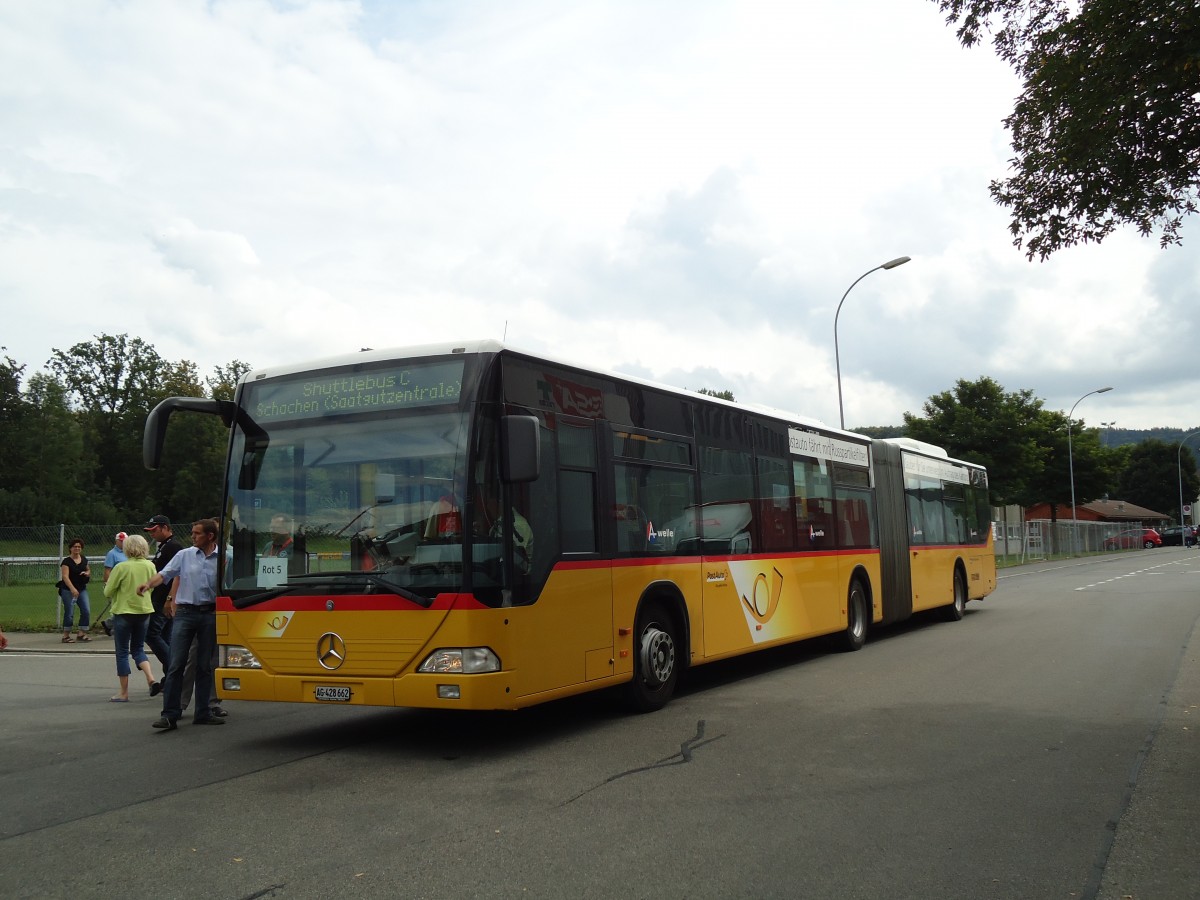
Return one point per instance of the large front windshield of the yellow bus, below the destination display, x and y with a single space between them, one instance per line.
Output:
347 505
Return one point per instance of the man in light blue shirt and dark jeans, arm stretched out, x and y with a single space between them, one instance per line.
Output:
194 609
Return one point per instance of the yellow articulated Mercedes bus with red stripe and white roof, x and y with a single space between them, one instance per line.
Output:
476 527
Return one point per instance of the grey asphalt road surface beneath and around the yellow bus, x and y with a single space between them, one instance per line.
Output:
1040 748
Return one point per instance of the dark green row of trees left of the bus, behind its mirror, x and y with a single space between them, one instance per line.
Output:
73 437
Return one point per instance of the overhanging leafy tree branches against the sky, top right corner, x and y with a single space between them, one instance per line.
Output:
1107 128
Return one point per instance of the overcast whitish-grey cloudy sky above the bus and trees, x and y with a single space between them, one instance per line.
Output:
681 191
